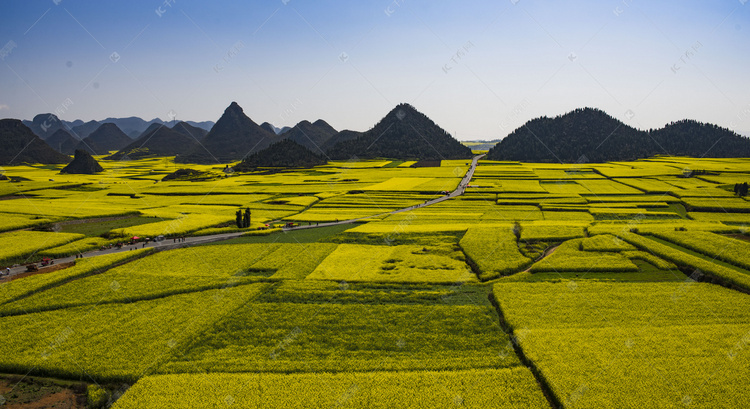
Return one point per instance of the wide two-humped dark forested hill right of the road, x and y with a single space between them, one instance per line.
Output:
591 135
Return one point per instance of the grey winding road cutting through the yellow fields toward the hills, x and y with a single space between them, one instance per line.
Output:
170 244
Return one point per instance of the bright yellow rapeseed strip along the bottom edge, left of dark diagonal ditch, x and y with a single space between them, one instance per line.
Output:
424 389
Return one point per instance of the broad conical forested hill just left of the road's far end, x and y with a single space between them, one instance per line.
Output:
404 133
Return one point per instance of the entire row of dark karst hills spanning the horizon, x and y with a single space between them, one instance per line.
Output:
583 135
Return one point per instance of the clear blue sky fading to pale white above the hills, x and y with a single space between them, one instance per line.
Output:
479 69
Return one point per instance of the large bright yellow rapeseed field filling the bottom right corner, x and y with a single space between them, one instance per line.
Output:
637 344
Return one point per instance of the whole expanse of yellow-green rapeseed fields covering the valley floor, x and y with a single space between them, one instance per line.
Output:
543 285
